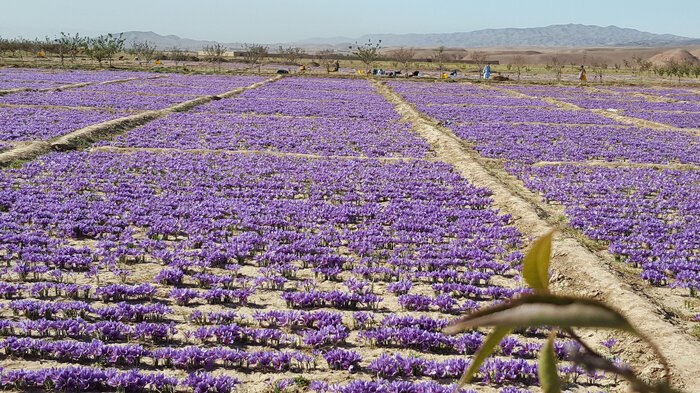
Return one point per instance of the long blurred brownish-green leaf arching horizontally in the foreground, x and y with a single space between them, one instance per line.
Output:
544 310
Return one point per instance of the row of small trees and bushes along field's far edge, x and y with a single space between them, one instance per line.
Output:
104 48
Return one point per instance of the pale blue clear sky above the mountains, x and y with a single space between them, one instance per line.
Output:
272 21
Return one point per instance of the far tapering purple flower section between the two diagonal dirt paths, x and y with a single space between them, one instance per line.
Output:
346 132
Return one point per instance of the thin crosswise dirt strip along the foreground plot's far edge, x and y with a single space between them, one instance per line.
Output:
265 152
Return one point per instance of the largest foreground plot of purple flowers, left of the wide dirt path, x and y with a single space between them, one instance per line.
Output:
184 264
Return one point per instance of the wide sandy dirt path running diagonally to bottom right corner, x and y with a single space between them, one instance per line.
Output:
576 269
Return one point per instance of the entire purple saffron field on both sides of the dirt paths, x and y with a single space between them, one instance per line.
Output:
302 236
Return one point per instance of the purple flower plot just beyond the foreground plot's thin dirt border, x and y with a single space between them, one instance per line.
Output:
327 136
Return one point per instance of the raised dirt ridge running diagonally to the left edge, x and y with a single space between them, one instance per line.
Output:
107 129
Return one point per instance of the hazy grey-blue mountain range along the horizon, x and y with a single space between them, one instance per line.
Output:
571 35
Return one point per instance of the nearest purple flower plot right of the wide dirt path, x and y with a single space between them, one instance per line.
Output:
649 217
